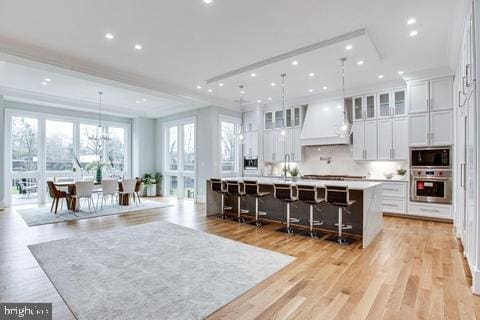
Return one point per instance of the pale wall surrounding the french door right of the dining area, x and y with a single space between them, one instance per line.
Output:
208 143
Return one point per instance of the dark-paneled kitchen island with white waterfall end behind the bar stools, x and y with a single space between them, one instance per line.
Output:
366 215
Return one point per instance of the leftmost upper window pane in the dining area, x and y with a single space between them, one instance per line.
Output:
24 144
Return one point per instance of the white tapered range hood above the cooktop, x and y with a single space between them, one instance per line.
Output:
322 123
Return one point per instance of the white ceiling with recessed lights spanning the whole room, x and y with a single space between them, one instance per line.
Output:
186 42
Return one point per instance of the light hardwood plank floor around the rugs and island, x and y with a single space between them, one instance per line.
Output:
413 270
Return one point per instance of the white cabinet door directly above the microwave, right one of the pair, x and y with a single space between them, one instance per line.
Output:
441 128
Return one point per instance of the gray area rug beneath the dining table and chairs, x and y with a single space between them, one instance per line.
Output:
42 215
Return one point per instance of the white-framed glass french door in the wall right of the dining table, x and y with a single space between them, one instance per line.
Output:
180 159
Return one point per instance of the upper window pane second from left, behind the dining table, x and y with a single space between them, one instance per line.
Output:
59 145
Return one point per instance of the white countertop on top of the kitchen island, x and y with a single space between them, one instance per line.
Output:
354 185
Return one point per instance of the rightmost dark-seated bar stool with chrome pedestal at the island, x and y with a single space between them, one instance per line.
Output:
339 197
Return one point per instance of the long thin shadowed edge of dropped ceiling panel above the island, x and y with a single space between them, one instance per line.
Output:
290 54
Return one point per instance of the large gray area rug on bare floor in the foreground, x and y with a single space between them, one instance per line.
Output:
157 270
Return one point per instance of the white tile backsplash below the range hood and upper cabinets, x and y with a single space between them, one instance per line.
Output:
338 160
